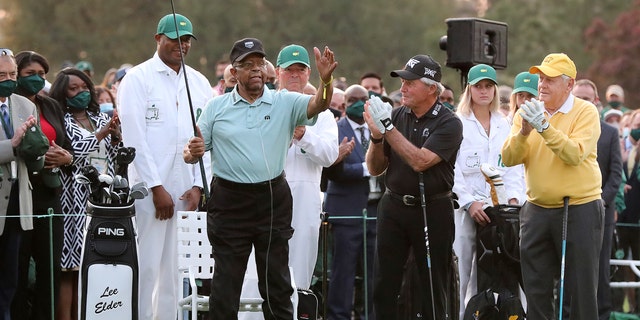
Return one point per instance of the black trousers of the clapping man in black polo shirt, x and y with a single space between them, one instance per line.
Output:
400 227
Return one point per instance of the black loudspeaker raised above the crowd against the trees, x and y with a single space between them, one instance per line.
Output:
472 41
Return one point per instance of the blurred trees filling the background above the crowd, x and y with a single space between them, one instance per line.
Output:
371 35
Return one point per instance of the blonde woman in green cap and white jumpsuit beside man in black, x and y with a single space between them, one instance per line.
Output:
484 131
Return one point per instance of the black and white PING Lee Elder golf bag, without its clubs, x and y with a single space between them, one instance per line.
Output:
108 286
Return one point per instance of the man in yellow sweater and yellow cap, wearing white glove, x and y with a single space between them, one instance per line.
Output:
555 138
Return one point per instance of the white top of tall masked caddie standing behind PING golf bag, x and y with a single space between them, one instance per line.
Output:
154 110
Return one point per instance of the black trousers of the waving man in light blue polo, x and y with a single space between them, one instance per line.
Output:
240 217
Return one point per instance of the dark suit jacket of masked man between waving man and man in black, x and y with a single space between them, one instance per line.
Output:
348 189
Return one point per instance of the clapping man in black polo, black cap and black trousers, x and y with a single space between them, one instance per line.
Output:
419 139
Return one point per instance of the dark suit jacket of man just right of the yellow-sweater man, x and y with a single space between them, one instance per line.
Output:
610 162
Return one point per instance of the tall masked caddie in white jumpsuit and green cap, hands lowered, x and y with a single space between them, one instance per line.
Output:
156 121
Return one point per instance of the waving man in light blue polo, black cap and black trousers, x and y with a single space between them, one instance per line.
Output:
249 132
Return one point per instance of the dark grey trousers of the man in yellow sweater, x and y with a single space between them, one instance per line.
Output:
541 254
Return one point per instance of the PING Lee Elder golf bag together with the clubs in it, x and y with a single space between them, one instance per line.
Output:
108 286
